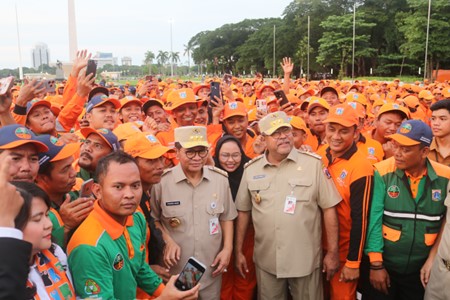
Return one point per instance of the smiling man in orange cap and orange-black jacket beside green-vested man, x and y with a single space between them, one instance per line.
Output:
352 174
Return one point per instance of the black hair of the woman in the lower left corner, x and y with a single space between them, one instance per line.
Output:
28 191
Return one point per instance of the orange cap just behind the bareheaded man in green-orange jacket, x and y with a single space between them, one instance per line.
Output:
145 146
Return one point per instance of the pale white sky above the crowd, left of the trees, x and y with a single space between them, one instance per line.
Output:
125 27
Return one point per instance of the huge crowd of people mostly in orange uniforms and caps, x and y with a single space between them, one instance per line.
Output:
338 190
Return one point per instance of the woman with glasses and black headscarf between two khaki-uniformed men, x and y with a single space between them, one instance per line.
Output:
230 157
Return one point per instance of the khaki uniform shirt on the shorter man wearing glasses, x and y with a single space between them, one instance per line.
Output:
174 198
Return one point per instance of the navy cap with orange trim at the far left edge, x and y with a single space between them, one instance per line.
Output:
13 136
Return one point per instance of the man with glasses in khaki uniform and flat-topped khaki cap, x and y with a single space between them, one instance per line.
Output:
194 209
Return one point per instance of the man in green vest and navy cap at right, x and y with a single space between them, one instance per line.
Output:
406 215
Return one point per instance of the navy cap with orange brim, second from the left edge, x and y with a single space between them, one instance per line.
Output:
57 149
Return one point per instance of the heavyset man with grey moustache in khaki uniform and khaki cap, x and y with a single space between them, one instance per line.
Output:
284 191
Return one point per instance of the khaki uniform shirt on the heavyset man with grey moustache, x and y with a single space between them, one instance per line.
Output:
287 245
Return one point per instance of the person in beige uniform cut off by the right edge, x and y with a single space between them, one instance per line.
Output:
437 287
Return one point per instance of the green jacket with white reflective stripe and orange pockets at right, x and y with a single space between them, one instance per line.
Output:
401 227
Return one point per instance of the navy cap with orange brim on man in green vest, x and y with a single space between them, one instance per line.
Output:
413 132
